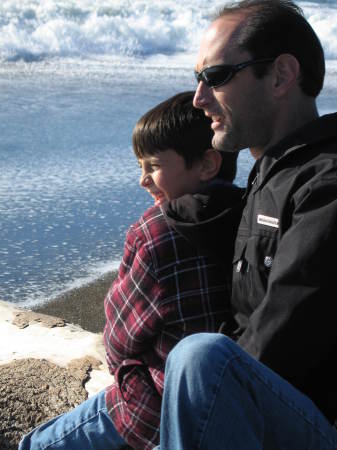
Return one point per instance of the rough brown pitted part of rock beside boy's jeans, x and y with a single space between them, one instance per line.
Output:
33 391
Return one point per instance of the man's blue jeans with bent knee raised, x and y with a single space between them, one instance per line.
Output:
217 397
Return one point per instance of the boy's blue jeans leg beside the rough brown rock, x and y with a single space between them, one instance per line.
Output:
86 427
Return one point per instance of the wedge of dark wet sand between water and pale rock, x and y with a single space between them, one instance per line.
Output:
82 306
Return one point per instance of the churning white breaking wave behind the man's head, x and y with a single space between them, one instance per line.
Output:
33 30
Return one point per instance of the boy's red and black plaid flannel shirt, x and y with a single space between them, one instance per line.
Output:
165 290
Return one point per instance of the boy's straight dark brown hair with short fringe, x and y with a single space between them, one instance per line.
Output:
177 125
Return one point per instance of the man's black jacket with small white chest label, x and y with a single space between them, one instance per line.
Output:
284 295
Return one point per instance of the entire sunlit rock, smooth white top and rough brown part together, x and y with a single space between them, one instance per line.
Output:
47 367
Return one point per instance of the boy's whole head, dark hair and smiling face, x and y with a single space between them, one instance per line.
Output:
173 144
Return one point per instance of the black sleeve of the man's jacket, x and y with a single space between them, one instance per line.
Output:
294 330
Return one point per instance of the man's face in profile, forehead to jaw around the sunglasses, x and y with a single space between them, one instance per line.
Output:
242 109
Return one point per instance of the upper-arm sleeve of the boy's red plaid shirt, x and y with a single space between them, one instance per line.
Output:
132 310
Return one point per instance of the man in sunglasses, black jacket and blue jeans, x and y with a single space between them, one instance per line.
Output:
273 383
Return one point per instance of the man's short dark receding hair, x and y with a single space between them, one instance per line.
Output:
274 27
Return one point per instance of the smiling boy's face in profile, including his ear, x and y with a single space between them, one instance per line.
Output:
165 176
